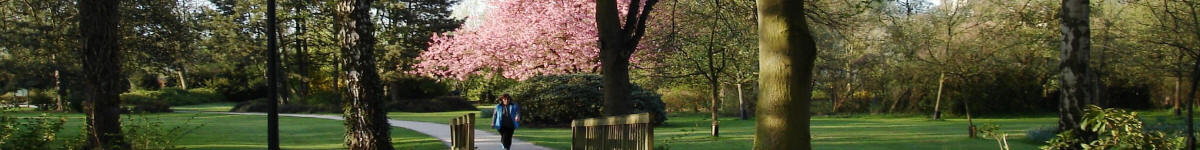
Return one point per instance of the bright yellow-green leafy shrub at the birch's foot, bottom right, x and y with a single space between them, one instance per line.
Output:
1115 129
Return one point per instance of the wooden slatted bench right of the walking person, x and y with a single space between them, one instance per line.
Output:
628 133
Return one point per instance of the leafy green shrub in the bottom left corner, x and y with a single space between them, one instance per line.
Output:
29 134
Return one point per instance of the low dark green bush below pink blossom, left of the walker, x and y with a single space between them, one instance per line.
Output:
445 104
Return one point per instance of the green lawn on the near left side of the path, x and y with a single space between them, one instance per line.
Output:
249 133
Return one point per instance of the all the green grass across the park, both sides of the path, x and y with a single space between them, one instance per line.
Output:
683 131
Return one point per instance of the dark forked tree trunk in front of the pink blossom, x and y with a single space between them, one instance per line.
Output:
617 44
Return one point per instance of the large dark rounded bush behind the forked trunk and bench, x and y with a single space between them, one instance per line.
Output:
557 100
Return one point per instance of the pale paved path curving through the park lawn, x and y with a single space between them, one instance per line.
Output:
484 140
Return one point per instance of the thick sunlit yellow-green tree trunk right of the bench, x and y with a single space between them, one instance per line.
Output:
785 59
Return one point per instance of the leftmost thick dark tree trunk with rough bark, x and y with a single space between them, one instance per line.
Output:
103 73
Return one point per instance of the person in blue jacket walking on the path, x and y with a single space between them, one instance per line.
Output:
508 116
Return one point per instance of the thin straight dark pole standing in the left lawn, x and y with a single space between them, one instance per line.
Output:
273 75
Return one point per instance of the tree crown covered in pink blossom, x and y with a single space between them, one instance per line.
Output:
519 39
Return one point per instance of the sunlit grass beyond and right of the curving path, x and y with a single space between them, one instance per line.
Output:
691 131
